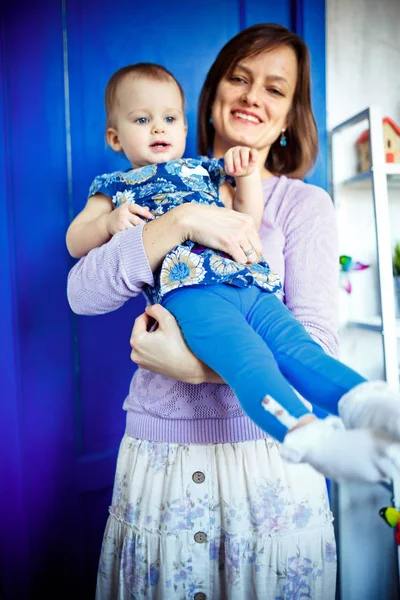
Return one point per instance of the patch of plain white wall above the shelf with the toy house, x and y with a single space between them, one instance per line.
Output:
363 57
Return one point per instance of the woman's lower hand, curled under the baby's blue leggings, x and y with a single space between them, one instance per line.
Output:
164 350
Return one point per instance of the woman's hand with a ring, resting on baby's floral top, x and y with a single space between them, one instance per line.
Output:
222 229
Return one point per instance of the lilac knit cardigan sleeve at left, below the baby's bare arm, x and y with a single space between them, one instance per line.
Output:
110 275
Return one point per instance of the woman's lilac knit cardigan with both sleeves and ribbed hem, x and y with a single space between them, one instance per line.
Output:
299 235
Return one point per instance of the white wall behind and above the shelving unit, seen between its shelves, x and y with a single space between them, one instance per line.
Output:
363 58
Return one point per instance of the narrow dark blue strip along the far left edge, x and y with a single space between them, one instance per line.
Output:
14 543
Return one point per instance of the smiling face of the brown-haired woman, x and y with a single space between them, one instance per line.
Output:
251 105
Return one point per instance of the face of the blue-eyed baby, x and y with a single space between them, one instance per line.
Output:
150 121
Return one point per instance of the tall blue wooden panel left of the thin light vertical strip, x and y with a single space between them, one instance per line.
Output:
36 211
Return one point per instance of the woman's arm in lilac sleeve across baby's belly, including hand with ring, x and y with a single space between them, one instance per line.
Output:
110 275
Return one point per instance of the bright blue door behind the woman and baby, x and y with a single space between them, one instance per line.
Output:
64 378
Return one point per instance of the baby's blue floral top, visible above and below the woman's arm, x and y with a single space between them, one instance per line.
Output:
164 186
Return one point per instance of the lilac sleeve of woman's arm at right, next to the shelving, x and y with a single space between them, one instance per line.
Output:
311 265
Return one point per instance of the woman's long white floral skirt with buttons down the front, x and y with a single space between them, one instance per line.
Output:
216 522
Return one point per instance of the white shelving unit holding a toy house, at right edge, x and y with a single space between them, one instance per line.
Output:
370 330
